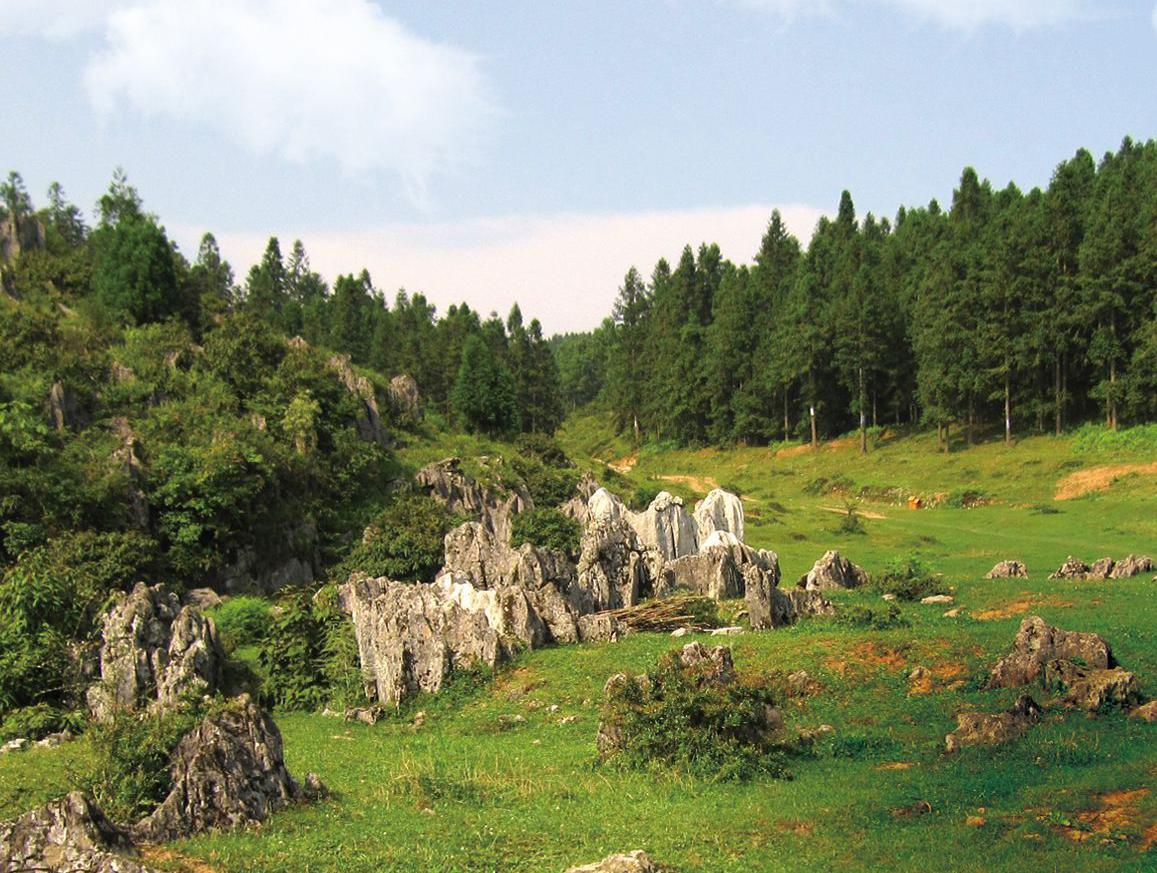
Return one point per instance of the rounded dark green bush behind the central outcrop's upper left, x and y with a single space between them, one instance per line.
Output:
406 543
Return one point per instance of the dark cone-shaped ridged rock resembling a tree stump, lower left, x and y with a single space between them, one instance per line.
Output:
227 773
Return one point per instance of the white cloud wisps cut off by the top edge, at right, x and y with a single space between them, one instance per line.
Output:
956 14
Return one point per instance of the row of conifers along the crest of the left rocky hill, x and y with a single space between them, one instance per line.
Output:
484 373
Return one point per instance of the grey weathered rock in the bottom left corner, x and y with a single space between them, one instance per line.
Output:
70 835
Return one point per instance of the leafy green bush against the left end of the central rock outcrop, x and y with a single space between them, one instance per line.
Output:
309 655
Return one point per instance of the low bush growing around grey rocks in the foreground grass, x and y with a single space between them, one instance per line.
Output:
680 719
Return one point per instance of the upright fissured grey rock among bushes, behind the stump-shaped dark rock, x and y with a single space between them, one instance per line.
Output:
154 652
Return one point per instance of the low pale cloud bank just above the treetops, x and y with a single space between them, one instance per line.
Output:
564 270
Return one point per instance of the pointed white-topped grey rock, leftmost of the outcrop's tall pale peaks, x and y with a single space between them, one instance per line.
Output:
613 563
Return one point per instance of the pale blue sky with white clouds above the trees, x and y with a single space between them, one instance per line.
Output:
533 152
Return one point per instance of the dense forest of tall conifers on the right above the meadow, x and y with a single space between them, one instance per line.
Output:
1023 312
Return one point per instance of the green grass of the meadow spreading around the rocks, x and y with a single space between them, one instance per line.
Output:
475 790
